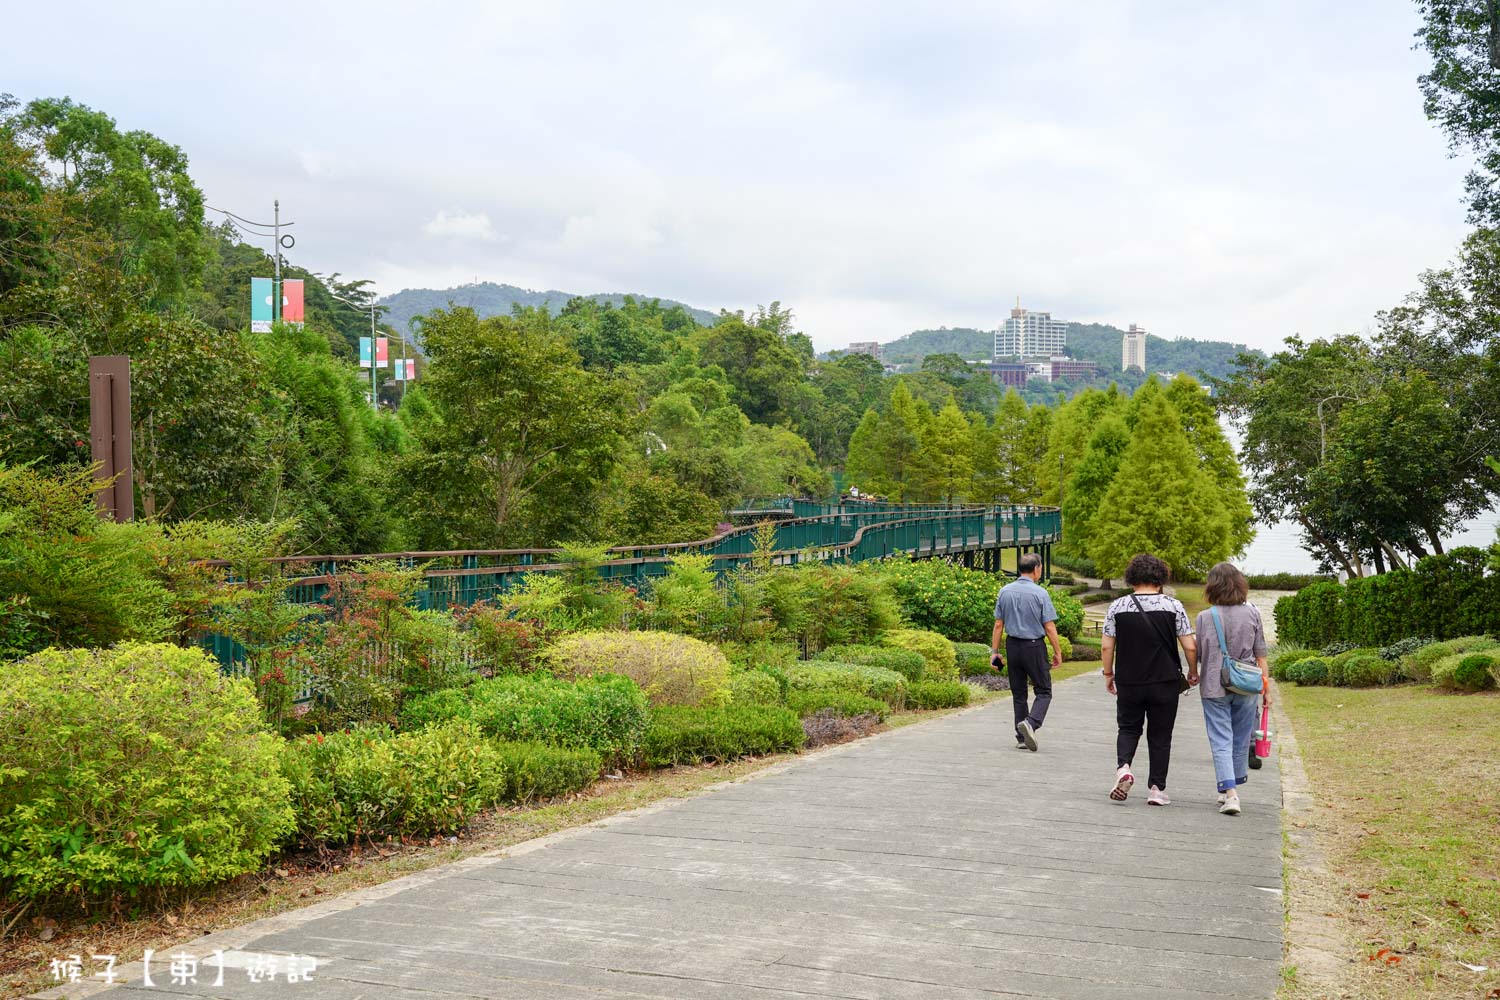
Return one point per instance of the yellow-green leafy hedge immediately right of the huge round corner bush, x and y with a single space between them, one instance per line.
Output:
370 783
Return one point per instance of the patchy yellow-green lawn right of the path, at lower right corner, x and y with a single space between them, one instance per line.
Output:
1399 843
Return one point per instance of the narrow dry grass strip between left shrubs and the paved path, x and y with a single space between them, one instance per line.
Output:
290 884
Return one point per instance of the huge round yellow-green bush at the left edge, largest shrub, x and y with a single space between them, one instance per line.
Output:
133 768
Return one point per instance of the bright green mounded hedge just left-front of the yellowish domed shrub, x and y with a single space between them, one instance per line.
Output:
607 714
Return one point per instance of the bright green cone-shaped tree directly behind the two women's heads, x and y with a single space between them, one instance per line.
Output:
1160 501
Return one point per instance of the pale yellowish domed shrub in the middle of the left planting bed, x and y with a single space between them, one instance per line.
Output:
670 669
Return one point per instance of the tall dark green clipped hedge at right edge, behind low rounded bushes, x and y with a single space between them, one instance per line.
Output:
1444 596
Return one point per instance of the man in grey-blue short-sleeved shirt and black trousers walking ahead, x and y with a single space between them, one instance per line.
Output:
1024 614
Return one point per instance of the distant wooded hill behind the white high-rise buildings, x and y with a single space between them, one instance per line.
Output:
1087 341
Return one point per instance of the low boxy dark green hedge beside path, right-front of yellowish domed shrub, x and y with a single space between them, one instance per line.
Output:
694 735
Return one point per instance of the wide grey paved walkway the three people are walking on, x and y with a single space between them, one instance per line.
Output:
935 861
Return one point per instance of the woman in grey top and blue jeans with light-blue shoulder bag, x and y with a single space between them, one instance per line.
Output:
1231 719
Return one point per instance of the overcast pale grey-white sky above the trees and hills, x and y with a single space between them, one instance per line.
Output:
1210 170
